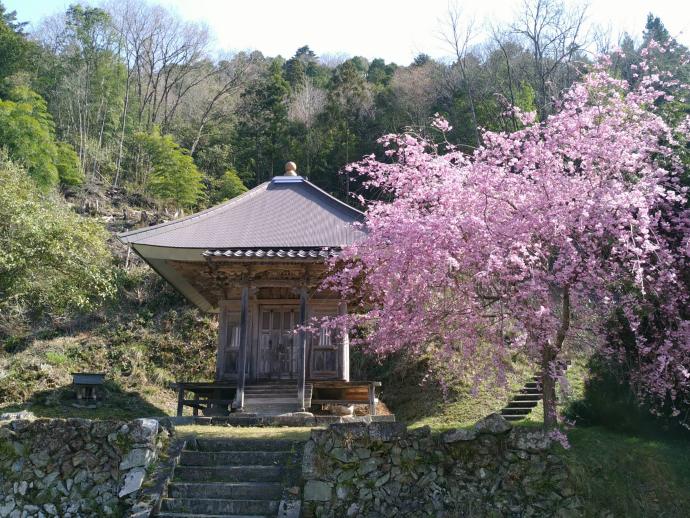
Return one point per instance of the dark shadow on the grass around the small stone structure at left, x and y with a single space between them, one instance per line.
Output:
115 403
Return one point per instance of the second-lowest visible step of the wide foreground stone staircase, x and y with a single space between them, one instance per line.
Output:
226 490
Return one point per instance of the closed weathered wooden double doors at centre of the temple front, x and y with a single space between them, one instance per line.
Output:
277 355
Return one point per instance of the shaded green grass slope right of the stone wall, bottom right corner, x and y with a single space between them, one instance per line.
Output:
630 476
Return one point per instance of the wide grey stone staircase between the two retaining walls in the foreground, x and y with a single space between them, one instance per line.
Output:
231 478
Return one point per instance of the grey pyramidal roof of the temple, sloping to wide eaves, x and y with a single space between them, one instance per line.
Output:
285 214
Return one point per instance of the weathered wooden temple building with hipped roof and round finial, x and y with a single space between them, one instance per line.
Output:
257 261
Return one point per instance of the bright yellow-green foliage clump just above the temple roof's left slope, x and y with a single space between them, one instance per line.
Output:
167 170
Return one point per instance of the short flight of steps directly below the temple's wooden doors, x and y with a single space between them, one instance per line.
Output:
272 398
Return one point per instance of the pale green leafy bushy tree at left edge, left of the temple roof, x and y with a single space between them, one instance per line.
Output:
52 261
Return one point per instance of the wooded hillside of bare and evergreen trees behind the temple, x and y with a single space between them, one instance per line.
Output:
127 94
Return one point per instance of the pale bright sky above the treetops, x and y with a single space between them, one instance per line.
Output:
394 30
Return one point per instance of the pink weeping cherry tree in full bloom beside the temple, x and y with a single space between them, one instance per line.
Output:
564 221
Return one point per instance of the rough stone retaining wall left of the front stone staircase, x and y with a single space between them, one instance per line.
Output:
74 467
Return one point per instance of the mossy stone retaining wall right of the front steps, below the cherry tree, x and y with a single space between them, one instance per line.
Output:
383 470
